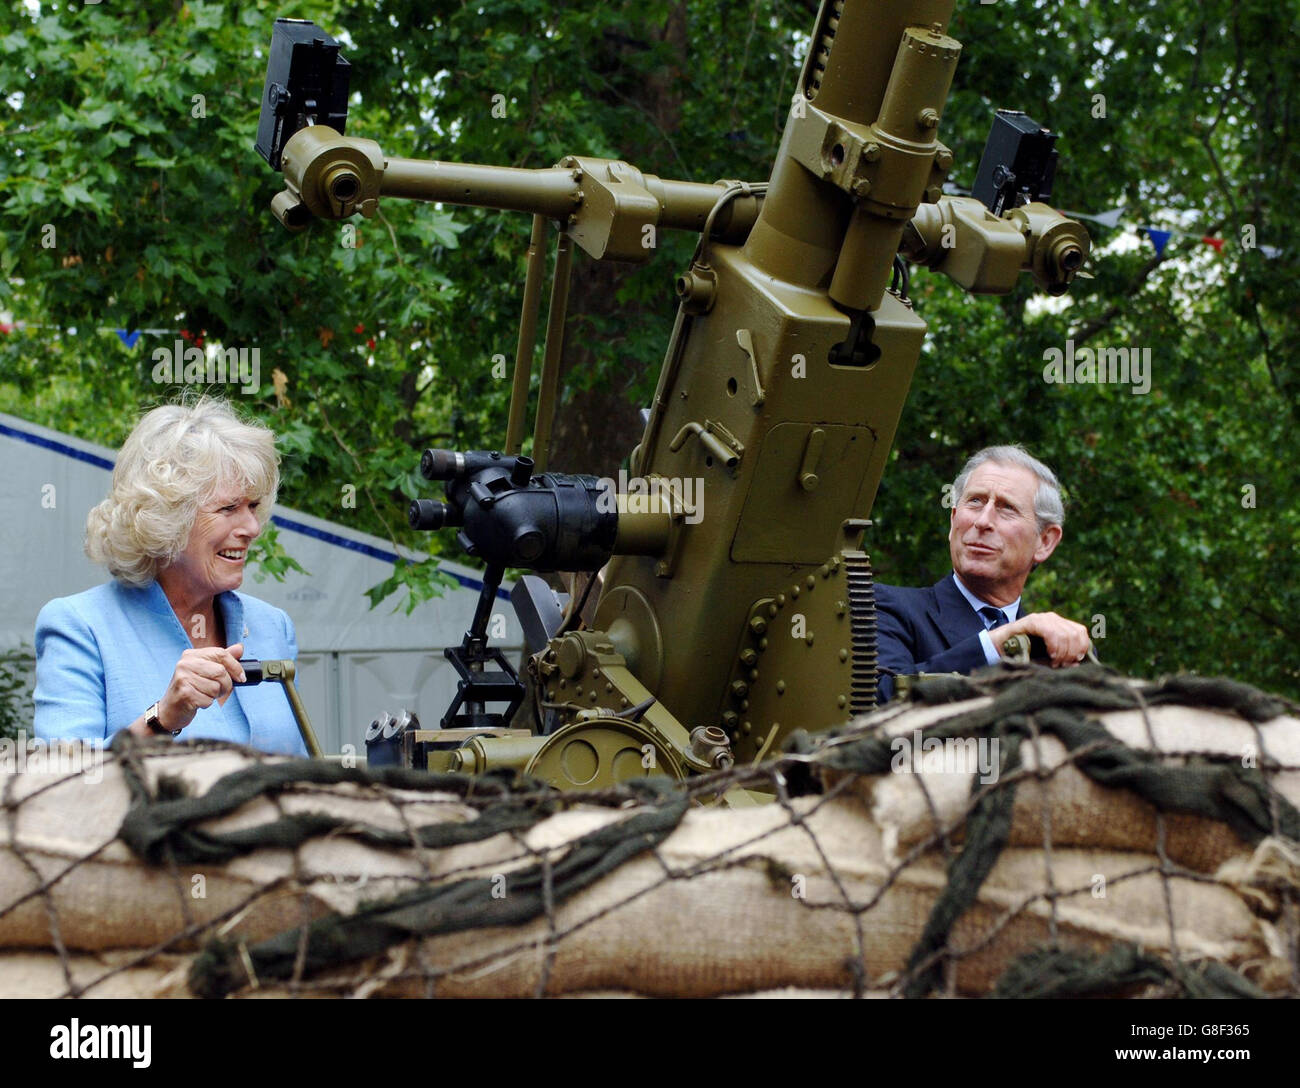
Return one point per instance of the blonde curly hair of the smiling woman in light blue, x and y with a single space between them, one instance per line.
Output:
171 465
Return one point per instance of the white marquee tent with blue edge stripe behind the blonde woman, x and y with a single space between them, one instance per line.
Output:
354 662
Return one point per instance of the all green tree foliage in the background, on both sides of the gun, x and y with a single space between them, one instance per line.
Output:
161 220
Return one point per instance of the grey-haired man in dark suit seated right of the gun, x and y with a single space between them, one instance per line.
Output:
1007 519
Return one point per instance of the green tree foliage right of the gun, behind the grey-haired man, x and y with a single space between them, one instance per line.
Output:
1184 519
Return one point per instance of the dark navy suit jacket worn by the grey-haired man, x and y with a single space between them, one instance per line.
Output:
930 630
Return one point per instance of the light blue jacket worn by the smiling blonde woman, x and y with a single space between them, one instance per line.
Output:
106 656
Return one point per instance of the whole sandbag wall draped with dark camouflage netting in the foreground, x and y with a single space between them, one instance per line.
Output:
1022 834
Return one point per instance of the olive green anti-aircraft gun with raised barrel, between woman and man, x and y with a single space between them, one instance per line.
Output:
736 601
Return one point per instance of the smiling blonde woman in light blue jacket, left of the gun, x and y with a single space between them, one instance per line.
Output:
157 651
